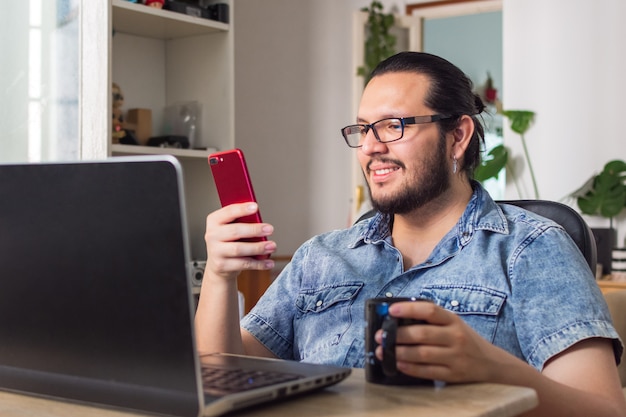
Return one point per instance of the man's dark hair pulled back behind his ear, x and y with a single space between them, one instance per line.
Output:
450 93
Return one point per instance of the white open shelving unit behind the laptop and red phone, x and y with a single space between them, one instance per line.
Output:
160 58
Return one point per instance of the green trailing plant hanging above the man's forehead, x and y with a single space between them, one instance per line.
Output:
380 43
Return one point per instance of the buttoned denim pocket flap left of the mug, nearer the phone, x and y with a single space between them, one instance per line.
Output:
321 299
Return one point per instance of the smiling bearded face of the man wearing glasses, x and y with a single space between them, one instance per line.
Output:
403 175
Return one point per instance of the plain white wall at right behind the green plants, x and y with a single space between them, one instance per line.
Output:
569 69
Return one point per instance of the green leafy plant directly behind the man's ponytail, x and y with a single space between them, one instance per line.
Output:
498 158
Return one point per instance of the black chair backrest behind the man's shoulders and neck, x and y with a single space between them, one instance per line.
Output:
567 217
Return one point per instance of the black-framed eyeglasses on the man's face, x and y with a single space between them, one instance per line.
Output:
385 130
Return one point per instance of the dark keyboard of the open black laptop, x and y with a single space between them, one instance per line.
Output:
220 381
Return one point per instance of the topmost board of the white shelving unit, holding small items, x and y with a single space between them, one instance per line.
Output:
138 19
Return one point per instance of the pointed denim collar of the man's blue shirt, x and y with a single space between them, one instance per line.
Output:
481 213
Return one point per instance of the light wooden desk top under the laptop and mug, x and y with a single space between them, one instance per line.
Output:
352 397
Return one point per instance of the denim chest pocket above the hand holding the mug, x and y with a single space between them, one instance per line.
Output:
479 307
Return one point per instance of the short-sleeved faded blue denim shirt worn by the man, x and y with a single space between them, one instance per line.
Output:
516 278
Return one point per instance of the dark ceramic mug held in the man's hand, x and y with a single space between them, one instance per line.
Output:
377 317
